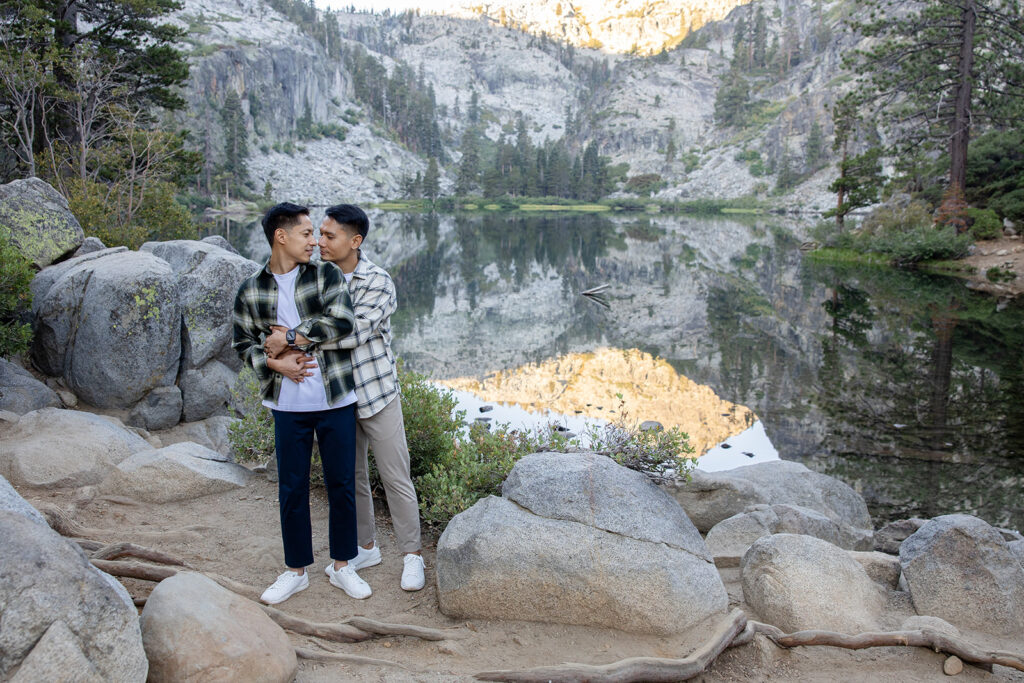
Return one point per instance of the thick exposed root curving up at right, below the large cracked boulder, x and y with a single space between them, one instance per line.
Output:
636 669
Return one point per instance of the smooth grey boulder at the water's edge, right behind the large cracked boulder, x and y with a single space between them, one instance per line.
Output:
711 497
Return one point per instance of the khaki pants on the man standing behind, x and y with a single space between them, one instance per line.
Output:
386 434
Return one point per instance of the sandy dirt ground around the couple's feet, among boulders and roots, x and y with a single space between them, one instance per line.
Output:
237 535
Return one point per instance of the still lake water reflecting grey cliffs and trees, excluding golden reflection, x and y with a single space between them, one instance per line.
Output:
909 388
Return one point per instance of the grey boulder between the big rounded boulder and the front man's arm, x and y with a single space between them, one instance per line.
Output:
209 278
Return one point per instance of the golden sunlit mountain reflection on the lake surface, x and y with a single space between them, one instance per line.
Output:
592 383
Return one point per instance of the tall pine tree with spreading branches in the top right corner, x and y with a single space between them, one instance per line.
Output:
957 65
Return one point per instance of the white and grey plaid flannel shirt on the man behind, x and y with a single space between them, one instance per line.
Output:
372 291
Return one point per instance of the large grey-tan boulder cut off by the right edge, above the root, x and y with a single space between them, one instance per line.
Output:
962 570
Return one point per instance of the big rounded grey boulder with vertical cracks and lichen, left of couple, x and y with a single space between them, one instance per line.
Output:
111 327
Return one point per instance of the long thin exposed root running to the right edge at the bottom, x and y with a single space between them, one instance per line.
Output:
933 641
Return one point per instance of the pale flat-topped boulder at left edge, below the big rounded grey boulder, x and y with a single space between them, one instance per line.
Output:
55 448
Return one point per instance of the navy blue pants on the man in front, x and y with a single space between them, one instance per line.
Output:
293 435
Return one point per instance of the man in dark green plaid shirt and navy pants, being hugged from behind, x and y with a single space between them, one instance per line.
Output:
308 389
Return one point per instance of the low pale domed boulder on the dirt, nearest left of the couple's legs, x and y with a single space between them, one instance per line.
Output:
178 473
